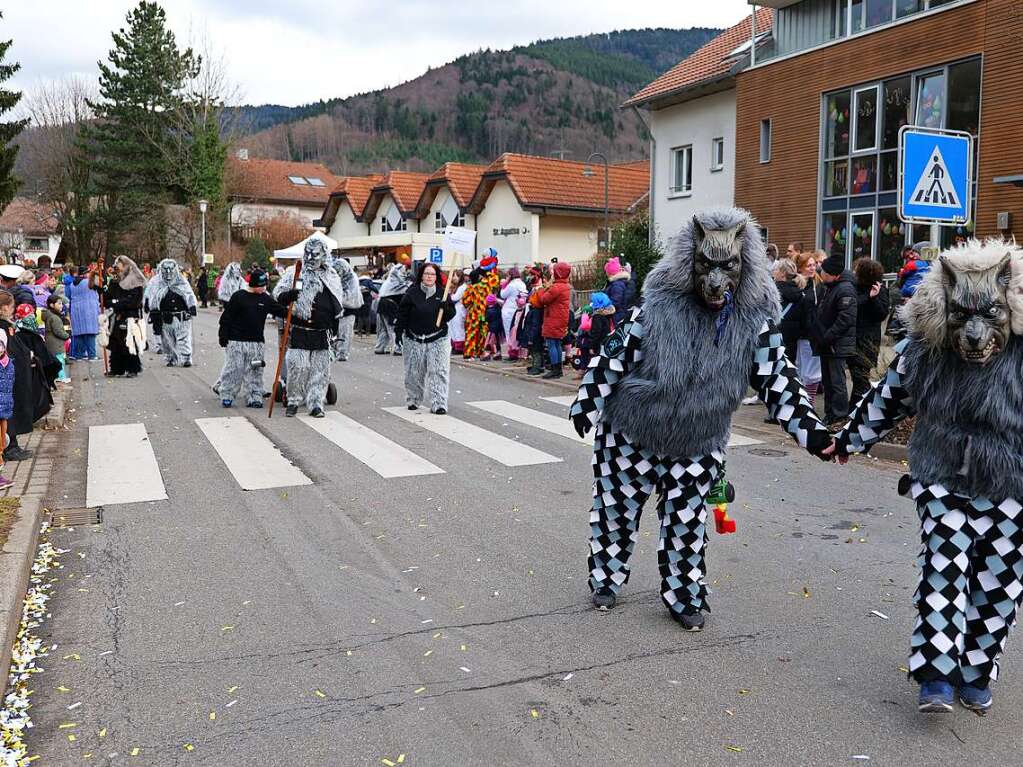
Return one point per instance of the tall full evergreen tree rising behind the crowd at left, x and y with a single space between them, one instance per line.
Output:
131 141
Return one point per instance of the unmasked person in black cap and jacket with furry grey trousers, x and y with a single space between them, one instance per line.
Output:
242 337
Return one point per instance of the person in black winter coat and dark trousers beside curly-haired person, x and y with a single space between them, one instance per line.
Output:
835 332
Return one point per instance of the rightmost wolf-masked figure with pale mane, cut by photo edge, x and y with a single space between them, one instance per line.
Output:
960 372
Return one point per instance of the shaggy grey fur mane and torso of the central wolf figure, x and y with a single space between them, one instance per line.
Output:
679 400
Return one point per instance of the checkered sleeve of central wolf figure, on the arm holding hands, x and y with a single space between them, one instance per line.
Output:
778 386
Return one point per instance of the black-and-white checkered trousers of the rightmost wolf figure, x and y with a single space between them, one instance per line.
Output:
971 567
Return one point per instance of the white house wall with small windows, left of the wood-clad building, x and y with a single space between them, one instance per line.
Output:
697 123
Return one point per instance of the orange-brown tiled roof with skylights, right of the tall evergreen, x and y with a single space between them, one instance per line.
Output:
269 181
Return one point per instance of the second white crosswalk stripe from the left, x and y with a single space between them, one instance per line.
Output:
252 459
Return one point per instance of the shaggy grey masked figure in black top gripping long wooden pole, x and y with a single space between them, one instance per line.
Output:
316 319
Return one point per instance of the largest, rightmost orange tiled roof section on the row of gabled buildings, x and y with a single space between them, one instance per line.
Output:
545 183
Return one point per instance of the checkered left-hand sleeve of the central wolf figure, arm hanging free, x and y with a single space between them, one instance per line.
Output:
619 353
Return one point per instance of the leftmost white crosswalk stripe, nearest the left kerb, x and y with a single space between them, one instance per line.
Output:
122 468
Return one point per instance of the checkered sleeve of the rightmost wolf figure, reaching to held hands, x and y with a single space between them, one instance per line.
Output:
880 411
